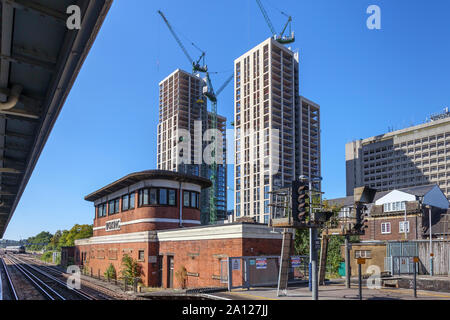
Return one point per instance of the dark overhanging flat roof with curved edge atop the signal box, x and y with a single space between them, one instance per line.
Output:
136 177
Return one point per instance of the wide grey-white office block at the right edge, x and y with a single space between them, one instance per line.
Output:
414 156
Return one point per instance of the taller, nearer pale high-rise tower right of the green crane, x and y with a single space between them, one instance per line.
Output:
277 132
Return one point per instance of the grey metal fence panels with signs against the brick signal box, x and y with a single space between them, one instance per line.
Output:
247 272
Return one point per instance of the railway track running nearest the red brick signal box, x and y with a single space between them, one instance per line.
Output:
50 287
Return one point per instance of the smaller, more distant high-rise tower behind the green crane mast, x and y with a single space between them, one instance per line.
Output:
183 121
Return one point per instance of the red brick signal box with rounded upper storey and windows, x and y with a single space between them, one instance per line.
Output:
154 217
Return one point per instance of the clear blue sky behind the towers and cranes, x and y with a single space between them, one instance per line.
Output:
365 82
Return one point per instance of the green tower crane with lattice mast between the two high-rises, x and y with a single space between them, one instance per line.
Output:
212 96
